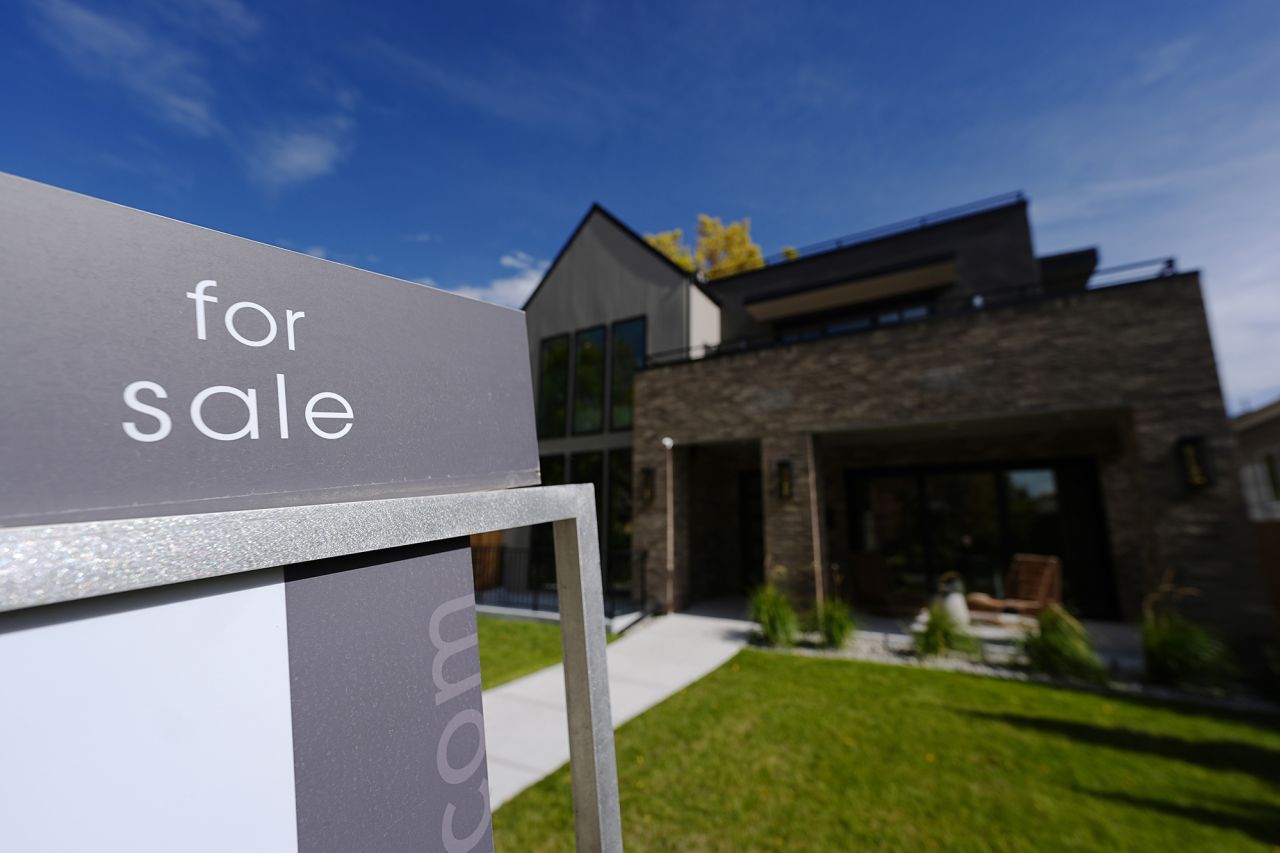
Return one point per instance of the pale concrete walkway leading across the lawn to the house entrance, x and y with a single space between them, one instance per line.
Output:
527 729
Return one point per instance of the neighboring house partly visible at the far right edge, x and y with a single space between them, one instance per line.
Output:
1259 437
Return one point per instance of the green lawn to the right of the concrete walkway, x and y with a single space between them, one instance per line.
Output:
779 752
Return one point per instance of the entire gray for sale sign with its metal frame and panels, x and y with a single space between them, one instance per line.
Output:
236 596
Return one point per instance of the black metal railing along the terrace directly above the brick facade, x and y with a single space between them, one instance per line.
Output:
844 326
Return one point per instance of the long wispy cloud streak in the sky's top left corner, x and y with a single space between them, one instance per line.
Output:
168 80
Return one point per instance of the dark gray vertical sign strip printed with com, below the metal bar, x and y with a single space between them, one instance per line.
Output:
388 729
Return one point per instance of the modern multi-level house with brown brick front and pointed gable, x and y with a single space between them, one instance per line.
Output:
925 399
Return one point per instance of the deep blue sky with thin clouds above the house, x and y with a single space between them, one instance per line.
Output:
460 144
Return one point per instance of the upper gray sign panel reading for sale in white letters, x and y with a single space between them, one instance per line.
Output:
153 368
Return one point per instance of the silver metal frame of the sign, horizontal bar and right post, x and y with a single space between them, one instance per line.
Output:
51 564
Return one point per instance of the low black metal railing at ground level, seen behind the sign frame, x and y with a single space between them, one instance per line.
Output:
525 580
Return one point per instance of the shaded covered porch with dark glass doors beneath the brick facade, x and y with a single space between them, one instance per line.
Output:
879 516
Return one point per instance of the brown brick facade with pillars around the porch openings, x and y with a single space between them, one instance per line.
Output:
1127 371
